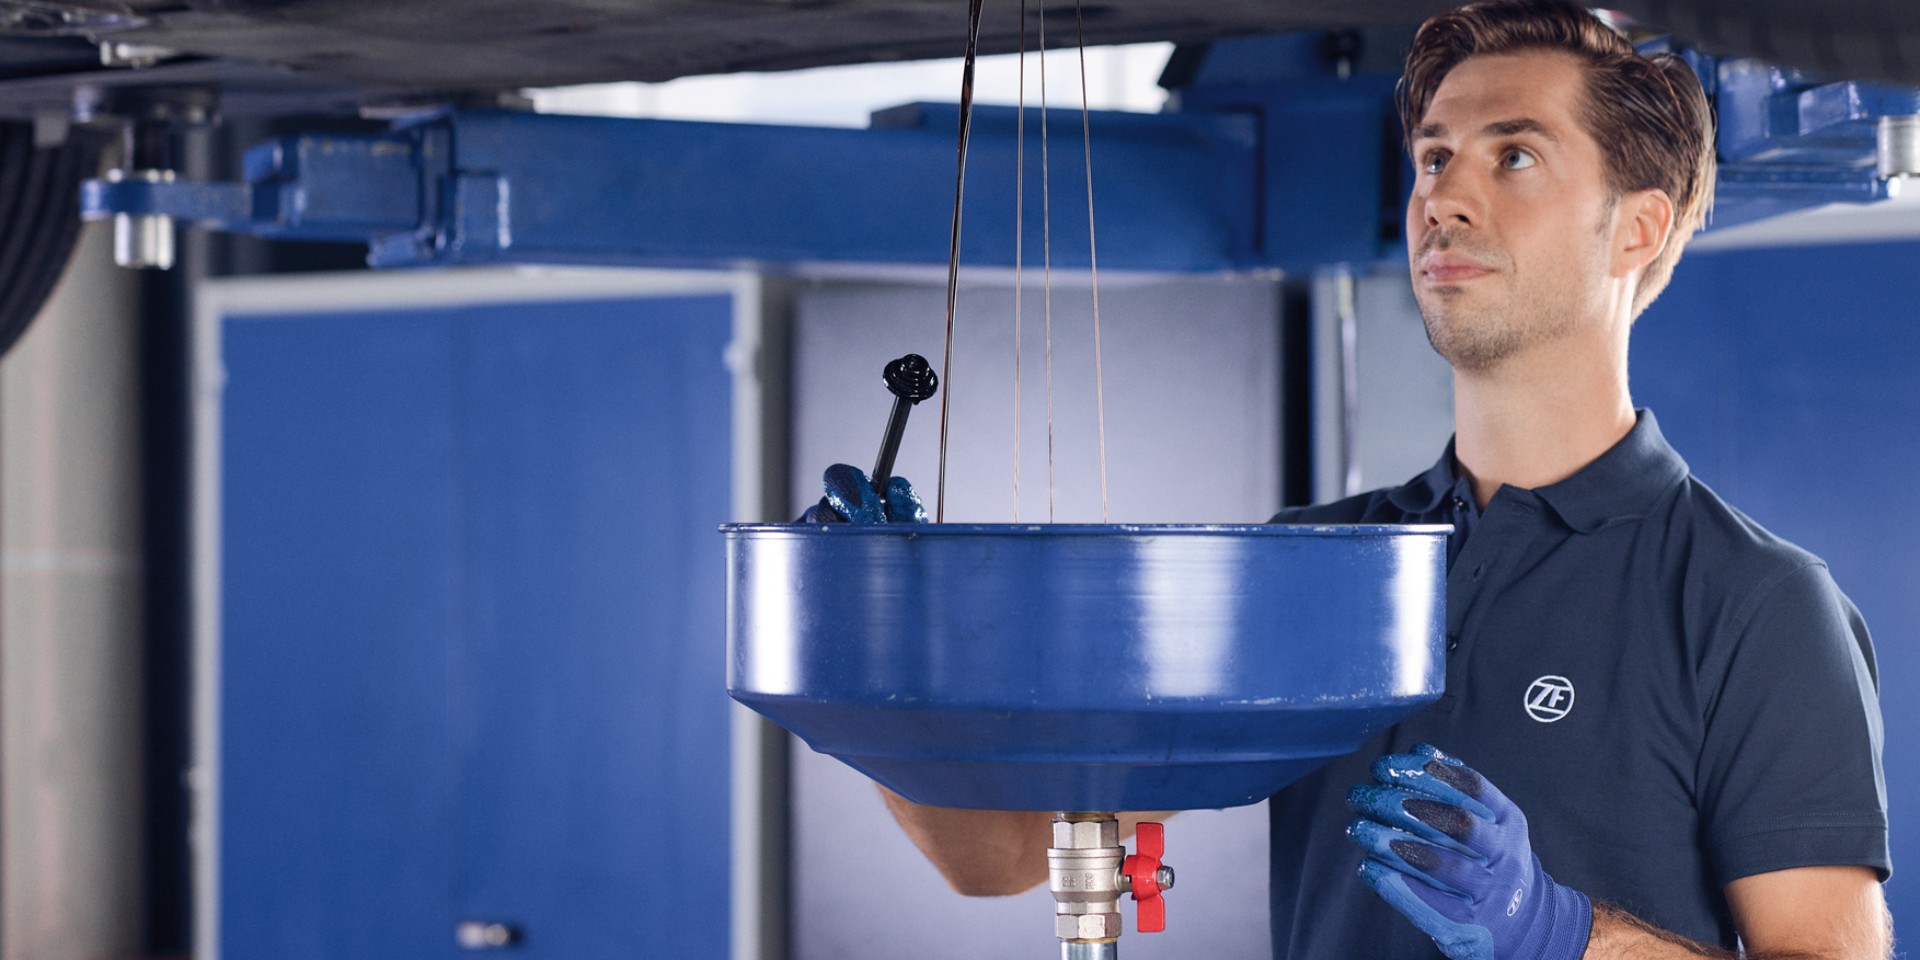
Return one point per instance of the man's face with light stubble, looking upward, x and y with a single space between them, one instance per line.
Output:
1510 222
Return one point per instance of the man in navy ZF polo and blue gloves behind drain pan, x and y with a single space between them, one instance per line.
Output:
1683 706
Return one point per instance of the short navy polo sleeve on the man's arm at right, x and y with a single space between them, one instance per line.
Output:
1790 765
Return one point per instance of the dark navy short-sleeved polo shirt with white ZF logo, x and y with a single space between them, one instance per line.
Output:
1673 696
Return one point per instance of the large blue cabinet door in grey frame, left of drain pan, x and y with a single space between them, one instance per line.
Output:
471 631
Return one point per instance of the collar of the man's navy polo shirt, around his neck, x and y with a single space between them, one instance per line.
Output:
1623 485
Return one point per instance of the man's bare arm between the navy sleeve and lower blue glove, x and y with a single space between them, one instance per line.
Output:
1813 913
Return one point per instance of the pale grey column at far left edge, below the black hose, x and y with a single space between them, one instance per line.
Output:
72 623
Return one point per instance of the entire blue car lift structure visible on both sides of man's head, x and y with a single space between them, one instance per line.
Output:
1274 160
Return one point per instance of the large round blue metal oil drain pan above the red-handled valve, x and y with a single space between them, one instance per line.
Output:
1078 667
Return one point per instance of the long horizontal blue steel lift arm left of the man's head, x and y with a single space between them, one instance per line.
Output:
544 189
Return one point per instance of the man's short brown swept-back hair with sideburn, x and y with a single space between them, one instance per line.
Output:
1648 114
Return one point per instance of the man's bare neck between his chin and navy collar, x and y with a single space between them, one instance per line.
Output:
1541 418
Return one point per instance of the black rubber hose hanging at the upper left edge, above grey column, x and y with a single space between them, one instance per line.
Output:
39 220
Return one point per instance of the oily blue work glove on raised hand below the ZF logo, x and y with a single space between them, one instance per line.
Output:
1451 852
